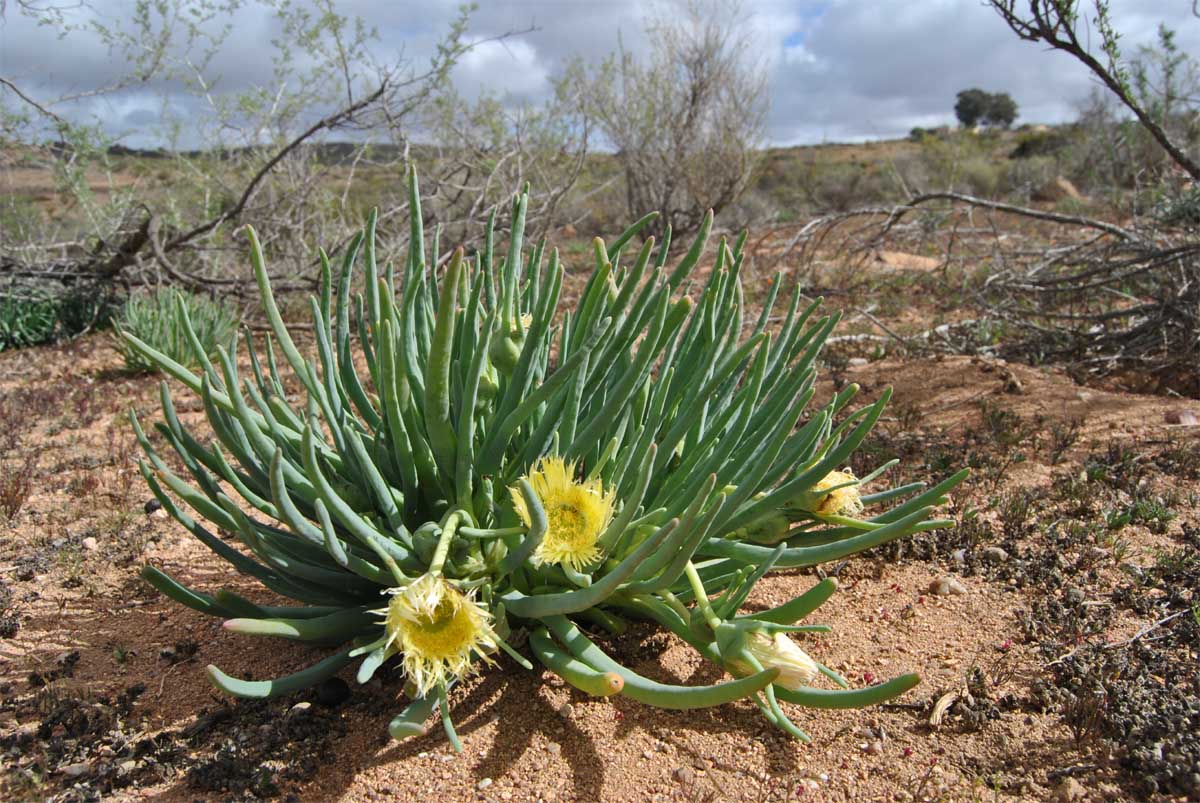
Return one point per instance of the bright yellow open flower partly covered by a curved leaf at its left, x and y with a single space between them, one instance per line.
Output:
577 513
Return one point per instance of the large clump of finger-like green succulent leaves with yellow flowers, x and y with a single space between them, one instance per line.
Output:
463 464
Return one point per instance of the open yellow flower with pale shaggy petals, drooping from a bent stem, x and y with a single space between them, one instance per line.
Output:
436 628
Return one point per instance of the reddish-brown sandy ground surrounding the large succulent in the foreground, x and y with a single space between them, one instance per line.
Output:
1078 534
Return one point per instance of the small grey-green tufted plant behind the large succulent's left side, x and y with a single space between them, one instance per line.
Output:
166 321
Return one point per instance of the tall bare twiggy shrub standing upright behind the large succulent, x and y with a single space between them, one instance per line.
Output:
688 121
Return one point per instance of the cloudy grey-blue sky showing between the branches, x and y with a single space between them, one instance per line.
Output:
837 70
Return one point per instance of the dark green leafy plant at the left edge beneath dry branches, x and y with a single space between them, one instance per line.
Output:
33 316
